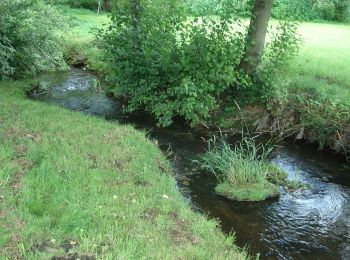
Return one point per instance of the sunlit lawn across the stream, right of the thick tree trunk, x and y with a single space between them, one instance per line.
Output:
323 64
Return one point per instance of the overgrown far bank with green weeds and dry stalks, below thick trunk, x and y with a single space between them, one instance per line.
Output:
312 121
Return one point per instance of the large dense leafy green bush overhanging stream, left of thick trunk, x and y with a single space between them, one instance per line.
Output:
169 65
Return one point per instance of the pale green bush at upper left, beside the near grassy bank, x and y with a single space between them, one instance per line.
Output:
28 38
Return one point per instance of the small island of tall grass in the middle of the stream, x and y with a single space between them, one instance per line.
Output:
244 172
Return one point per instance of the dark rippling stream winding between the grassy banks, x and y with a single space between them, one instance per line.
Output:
312 224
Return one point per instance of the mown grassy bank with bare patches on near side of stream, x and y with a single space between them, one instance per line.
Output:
78 186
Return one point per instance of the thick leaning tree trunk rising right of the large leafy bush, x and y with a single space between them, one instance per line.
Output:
255 41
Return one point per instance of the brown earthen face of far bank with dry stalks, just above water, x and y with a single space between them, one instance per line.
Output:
296 123
